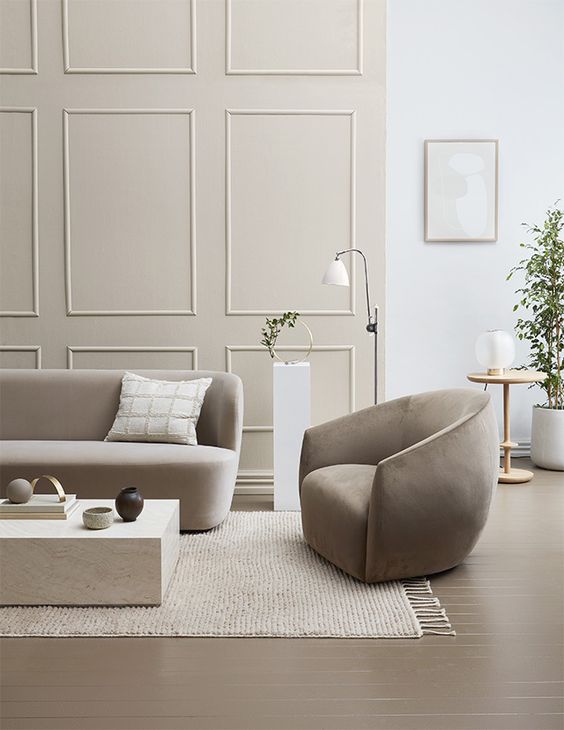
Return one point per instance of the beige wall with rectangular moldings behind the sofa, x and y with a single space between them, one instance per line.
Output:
172 171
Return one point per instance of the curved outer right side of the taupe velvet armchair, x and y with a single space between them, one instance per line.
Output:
430 502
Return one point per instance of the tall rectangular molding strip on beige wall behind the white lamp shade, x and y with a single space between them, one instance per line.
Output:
229 114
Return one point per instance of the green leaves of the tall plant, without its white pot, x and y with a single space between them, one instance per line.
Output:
542 302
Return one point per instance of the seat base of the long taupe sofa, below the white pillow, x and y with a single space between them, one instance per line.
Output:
202 477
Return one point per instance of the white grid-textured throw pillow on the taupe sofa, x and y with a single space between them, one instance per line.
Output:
158 410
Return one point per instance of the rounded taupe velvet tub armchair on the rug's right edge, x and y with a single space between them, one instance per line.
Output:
401 489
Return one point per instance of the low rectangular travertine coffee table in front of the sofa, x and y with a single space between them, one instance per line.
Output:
56 562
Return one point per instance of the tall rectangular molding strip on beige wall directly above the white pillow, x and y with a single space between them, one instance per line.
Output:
71 310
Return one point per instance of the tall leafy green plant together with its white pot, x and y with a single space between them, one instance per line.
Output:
542 325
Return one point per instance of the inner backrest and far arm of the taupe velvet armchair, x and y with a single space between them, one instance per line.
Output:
364 437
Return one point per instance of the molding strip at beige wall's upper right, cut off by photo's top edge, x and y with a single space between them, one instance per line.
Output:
231 70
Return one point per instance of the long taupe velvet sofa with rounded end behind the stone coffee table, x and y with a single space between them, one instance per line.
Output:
55 422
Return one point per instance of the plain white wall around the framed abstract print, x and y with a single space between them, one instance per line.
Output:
467 69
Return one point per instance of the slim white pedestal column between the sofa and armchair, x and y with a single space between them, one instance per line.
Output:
292 415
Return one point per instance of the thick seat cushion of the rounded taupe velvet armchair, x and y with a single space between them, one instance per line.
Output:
335 504
